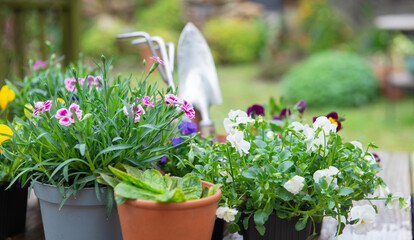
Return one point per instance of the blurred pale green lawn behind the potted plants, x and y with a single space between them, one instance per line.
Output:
389 124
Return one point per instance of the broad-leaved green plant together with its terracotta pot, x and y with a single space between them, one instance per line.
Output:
153 206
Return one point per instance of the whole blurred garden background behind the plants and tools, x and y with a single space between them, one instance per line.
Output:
330 53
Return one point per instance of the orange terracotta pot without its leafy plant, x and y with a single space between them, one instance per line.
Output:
152 220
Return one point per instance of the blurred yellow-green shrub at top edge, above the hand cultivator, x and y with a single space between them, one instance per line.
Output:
165 14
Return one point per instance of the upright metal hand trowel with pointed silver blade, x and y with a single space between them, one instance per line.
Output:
198 81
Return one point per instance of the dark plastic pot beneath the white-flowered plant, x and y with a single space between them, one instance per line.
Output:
277 229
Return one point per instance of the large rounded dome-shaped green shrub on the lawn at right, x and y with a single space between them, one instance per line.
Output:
331 79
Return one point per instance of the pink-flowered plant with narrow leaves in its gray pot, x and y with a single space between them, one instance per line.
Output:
66 143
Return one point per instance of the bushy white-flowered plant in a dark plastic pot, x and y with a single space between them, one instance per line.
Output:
280 175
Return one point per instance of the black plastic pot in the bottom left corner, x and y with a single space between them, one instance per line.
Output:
13 204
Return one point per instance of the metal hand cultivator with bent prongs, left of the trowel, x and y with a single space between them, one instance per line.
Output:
143 37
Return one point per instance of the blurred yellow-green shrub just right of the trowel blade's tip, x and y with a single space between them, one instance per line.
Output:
235 41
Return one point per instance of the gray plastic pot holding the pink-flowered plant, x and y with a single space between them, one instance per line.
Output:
82 218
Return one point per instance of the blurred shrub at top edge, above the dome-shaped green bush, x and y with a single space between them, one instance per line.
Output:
321 26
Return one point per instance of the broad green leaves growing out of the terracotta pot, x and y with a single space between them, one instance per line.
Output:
131 183
